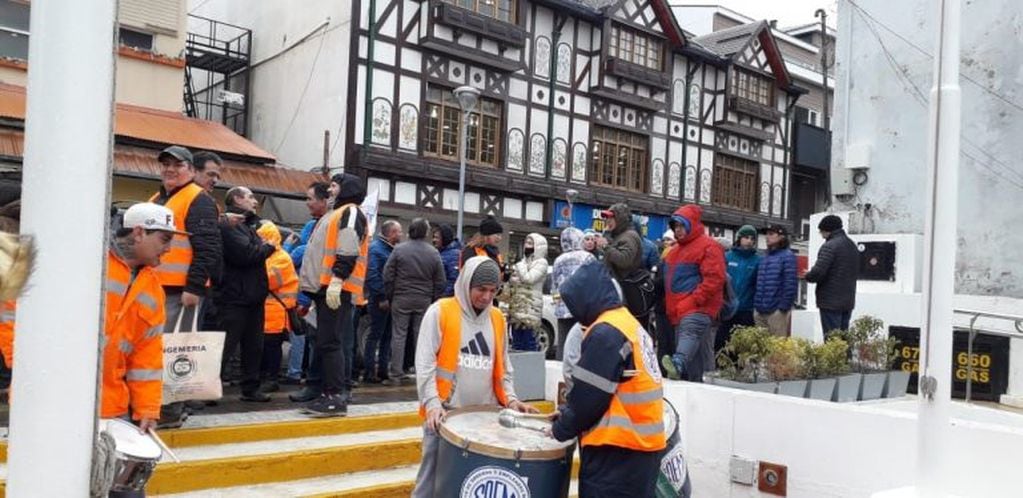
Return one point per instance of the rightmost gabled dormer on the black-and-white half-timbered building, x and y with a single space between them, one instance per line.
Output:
758 76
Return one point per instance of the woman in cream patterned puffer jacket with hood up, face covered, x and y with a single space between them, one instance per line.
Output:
526 293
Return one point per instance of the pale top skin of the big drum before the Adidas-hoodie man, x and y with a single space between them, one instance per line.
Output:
477 430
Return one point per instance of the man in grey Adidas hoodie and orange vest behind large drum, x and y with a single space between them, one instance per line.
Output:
462 358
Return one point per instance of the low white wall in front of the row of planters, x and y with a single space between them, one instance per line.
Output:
833 449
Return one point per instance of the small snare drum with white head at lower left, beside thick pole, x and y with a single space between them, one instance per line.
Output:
137 455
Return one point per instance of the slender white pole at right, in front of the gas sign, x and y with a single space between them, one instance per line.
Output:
940 259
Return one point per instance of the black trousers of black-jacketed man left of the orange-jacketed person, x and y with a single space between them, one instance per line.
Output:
244 326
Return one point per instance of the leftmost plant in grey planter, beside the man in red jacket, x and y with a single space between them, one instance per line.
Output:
741 363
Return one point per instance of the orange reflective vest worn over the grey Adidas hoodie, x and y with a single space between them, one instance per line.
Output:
448 357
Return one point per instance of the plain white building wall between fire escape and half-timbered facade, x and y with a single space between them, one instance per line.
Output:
278 84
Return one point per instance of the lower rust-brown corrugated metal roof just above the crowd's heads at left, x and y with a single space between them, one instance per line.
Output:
142 163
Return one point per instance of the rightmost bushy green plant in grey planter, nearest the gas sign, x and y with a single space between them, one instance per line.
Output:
873 354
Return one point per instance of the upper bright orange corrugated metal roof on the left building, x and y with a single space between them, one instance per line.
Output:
160 127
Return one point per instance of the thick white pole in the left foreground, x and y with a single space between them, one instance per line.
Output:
66 200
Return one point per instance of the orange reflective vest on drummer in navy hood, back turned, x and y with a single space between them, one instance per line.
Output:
636 418
